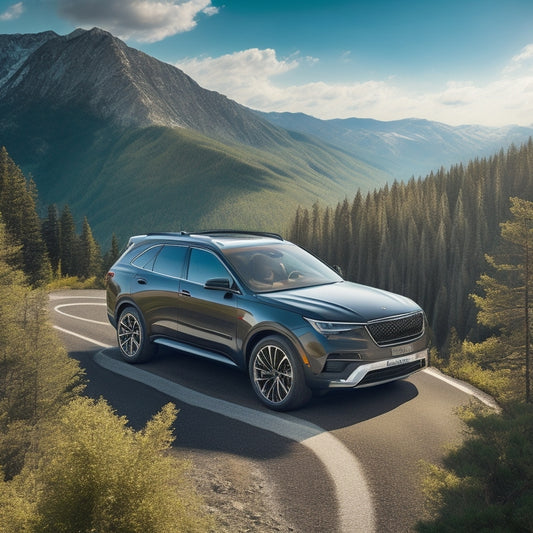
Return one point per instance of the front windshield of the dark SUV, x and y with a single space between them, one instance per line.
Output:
274 267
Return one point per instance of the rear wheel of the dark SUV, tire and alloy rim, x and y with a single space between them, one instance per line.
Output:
133 341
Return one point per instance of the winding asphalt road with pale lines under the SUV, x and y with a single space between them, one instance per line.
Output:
347 462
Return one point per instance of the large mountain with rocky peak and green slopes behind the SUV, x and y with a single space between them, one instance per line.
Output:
137 145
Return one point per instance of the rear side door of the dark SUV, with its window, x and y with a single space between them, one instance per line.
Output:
156 289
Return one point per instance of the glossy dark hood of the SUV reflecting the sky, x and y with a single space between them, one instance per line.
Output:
342 302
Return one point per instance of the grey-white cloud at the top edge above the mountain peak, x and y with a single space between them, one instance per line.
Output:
140 20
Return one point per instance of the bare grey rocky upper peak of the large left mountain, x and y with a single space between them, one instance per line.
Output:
95 71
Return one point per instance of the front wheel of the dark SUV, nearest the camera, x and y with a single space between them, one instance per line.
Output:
277 374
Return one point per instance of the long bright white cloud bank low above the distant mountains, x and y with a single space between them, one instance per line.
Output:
255 78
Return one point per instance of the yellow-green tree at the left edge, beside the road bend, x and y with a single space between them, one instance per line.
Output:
36 375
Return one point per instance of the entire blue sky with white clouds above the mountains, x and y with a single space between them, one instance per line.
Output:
455 61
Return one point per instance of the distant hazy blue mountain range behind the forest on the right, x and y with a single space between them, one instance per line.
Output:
404 148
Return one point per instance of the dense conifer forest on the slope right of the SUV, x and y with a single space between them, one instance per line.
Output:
427 238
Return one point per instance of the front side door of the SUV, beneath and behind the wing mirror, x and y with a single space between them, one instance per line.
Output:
206 317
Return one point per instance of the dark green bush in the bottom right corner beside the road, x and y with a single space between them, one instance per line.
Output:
486 484
